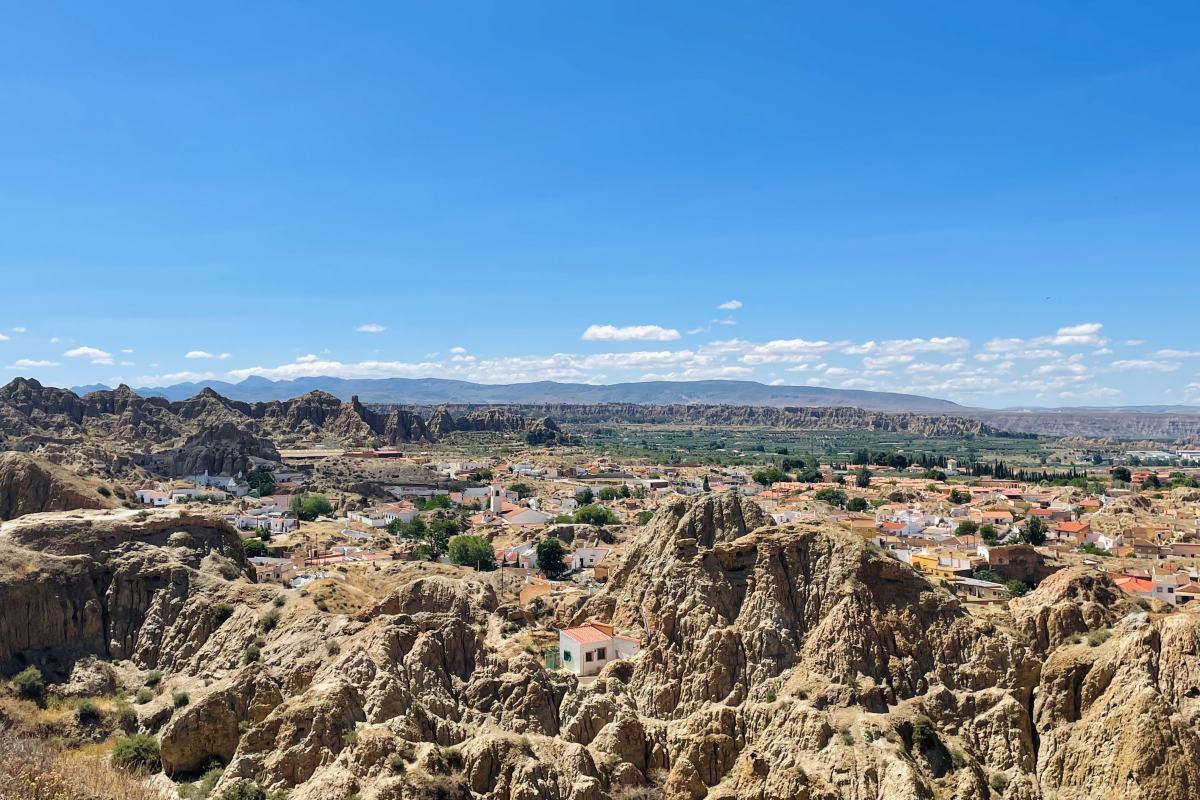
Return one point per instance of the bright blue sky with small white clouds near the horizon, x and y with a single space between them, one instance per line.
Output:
992 204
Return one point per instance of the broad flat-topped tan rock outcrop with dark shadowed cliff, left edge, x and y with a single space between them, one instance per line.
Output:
112 585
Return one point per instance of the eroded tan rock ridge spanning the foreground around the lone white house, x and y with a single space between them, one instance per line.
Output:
778 663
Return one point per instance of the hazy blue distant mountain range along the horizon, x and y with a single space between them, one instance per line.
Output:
431 392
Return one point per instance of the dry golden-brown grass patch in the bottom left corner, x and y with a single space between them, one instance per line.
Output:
32 769
